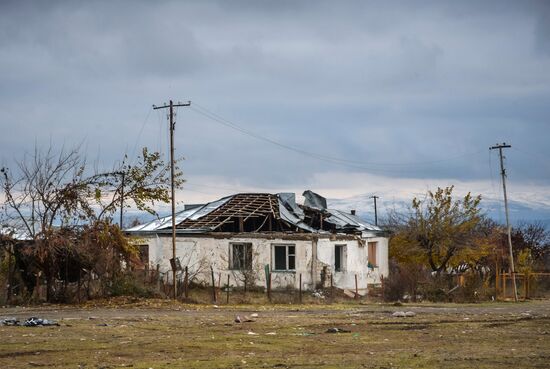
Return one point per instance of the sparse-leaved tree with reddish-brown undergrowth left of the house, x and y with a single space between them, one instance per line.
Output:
60 210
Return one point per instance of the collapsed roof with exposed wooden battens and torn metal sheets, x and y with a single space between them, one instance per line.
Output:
262 212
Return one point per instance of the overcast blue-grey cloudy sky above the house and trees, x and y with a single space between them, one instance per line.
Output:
405 96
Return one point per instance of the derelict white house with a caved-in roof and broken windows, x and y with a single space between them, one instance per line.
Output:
244 234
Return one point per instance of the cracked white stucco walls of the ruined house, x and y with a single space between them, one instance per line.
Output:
199 253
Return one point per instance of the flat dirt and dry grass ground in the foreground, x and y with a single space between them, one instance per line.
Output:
162 334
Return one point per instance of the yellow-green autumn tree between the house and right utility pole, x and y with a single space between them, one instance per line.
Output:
442 232
